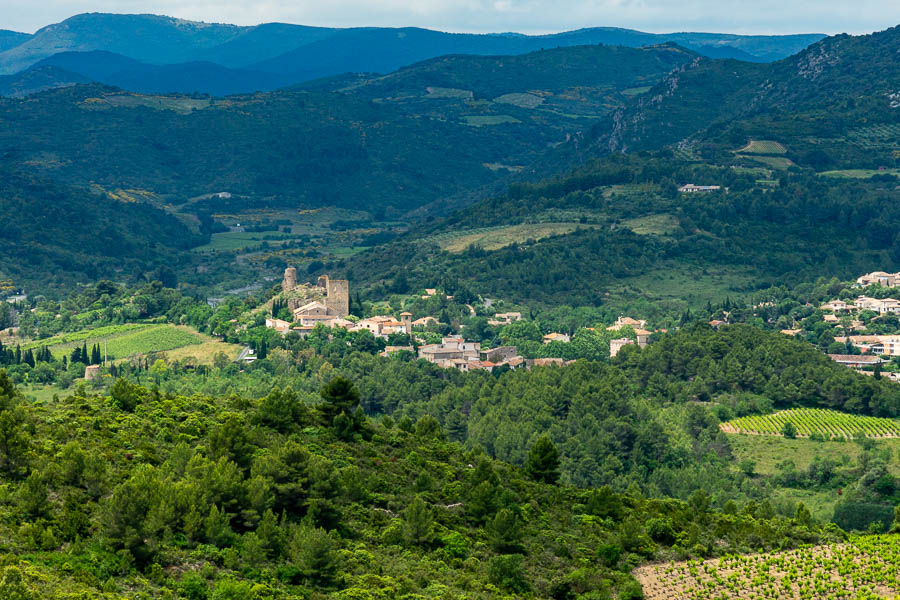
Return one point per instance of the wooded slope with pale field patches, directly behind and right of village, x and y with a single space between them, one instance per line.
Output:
630 228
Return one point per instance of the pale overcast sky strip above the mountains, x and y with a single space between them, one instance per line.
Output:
527 16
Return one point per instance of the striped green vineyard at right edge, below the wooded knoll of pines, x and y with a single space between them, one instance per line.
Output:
828 424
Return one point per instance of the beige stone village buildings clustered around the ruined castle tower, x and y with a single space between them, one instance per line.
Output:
327 304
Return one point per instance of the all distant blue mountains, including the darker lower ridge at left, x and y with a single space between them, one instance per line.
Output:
156 54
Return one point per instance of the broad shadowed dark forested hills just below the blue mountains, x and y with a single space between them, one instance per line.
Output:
360 150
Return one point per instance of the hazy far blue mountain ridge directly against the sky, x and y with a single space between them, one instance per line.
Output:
314 52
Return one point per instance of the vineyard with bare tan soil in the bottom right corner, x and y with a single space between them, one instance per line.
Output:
866 567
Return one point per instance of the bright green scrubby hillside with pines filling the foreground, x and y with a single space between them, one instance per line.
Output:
195 497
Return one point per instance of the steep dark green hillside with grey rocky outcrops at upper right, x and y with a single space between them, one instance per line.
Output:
818 104
